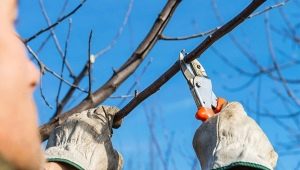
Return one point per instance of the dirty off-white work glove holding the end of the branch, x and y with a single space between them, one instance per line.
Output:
84 141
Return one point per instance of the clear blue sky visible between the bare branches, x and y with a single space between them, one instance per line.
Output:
172 108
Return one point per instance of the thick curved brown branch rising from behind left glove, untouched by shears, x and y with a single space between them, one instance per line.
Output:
123 73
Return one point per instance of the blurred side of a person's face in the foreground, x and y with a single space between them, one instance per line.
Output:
19 138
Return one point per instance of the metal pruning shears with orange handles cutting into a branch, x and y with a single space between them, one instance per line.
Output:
201 88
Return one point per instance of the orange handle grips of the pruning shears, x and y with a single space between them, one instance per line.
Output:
205 113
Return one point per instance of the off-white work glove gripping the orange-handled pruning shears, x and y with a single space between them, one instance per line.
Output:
232 139
